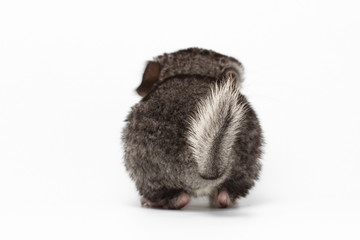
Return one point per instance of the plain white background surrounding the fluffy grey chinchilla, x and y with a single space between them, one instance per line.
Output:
68 70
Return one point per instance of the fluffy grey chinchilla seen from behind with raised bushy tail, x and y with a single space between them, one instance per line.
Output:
193 133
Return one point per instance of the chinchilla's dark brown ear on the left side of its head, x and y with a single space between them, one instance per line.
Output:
150 76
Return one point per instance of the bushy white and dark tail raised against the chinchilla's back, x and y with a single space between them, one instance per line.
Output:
214 127
